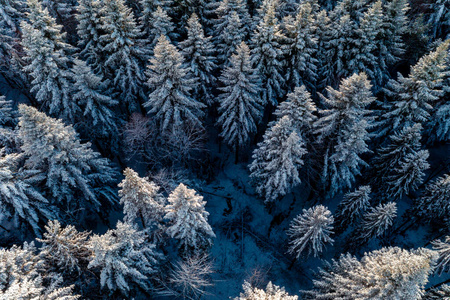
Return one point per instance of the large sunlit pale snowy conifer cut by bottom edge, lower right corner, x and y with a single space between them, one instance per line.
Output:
389 273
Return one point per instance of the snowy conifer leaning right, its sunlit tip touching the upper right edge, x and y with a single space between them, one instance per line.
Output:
413 96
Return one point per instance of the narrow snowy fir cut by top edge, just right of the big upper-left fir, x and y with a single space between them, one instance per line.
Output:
89 31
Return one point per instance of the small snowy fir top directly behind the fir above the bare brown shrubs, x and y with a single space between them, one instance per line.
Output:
159 24
